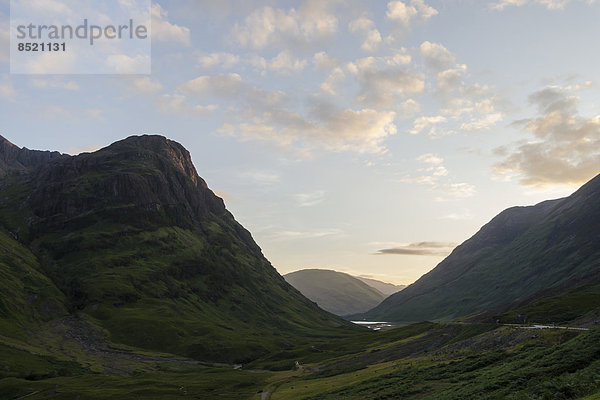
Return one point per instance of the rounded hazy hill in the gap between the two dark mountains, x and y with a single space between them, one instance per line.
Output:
336 292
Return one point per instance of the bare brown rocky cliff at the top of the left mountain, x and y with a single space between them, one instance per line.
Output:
148 174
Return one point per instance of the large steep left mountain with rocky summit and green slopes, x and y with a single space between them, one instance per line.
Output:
130 242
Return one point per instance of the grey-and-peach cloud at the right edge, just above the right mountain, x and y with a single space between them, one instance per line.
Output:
562 147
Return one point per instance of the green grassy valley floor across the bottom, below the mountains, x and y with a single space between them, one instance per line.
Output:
420 361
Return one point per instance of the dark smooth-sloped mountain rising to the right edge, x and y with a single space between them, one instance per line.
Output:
524 251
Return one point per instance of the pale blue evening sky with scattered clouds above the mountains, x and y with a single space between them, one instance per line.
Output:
369 137
